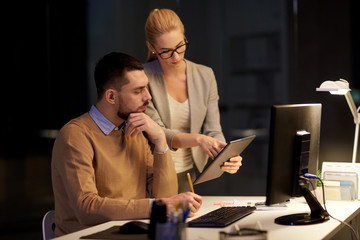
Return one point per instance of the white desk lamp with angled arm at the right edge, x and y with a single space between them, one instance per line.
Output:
341 87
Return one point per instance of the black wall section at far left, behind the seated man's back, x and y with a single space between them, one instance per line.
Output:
44 85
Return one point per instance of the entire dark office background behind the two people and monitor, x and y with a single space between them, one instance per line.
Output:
263 52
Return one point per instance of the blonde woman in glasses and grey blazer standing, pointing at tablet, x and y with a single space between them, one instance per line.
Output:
185 98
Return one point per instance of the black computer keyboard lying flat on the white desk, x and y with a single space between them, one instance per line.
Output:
221 217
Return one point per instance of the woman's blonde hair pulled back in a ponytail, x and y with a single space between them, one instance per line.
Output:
161 21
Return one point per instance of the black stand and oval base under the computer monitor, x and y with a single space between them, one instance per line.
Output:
317 215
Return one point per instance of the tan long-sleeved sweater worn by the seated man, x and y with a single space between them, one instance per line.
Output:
97 178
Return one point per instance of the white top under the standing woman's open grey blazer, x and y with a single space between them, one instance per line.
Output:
180 120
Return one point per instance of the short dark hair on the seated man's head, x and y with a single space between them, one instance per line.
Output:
110 71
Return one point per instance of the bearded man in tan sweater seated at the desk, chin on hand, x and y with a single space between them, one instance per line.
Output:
102 166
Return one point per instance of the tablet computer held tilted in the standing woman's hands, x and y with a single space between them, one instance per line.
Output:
234 148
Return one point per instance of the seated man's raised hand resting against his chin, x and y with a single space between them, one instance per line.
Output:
139 122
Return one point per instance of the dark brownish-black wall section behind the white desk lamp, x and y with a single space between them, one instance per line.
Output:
324 53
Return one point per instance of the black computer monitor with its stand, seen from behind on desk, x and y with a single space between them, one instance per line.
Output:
293 151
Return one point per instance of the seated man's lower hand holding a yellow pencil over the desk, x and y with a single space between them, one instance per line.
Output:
192 200
